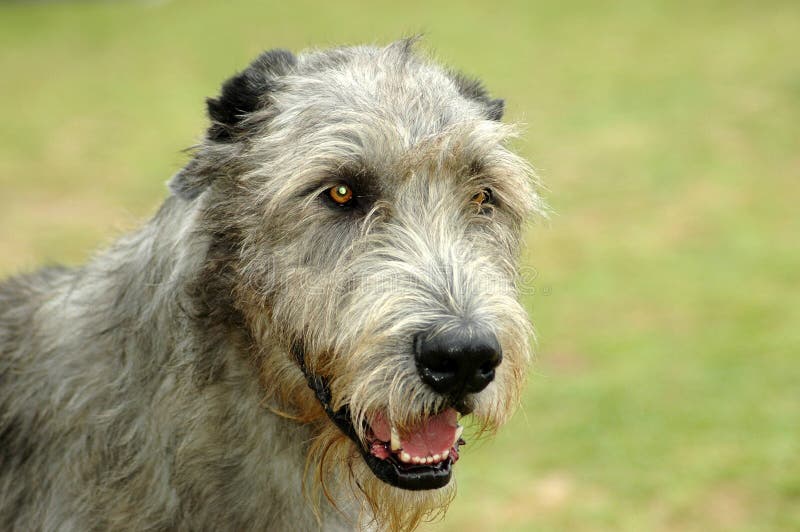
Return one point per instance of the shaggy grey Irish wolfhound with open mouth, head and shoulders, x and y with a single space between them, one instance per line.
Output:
288 344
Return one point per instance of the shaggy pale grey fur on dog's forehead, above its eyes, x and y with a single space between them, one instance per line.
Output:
382 109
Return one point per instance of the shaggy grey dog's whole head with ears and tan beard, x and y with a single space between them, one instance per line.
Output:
382 218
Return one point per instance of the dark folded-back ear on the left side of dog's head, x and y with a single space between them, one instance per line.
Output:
241 95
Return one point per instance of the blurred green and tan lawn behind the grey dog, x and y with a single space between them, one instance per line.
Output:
667 390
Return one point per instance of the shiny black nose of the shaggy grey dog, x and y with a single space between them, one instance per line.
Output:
458 361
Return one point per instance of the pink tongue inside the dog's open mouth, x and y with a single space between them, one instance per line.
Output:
433 436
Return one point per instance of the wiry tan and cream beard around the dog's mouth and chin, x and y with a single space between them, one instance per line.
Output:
372 375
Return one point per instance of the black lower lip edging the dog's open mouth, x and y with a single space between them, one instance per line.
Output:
395 473
